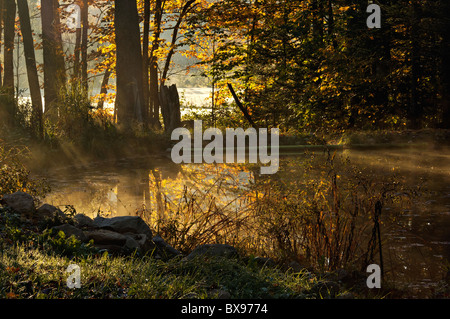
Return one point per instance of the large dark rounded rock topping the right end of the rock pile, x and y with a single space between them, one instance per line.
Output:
124 224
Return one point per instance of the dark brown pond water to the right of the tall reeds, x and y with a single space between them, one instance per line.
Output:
419 240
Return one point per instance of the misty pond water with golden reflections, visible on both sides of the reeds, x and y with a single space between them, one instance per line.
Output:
416 239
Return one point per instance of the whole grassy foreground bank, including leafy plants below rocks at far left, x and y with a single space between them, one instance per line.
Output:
33 266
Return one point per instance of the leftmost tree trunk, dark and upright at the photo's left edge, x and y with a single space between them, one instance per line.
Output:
8 55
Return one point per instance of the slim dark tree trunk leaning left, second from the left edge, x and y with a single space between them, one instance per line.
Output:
30 59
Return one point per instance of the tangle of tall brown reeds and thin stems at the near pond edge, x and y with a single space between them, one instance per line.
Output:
326 221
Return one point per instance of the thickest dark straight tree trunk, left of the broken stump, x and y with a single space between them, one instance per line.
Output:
129 97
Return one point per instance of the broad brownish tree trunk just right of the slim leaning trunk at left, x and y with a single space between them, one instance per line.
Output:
54 66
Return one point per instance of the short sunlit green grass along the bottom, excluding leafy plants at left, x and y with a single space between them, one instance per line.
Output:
27 272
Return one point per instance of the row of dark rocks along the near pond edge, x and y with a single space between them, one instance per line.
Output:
122 235
